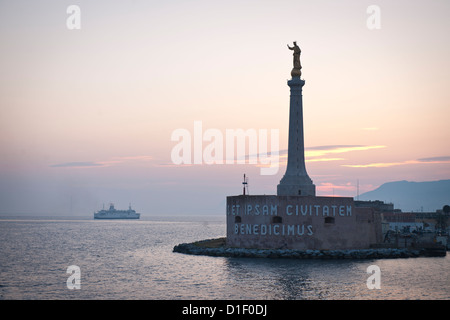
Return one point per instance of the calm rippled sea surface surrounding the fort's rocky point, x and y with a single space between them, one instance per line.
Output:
120 259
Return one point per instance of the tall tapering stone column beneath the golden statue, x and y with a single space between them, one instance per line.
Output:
296 181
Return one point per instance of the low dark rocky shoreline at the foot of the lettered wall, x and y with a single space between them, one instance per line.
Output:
217 248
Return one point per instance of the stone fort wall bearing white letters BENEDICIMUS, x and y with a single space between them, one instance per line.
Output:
300 222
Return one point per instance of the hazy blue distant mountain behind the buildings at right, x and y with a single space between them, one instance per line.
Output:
412 196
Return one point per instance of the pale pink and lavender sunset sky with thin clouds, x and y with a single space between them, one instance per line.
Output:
87 115
